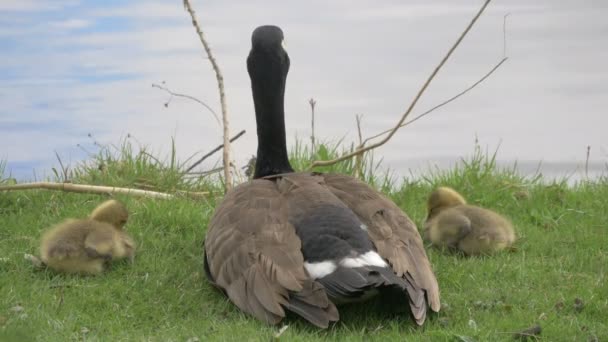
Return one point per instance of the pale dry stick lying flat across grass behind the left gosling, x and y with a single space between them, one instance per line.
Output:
83 188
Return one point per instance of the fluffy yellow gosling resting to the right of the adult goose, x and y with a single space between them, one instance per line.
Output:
452 223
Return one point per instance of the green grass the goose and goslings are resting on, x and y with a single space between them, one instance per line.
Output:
561 256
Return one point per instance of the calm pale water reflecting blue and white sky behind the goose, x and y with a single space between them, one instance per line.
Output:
69 68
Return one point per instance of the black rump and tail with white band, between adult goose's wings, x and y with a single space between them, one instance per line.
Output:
339 254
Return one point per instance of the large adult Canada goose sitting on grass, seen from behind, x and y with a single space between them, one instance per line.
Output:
307 241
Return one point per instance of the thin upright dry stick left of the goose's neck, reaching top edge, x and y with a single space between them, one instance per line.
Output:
220 86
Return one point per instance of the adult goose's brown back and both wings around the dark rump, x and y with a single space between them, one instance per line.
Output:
254 254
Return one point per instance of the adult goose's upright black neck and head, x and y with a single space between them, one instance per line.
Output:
268 64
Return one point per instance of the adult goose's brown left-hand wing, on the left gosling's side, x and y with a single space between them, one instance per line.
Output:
253 254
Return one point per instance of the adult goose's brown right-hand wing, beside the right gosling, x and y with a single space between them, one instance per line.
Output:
394 235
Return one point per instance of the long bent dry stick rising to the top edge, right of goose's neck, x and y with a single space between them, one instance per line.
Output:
411 107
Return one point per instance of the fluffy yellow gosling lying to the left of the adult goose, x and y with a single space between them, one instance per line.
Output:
87 245
